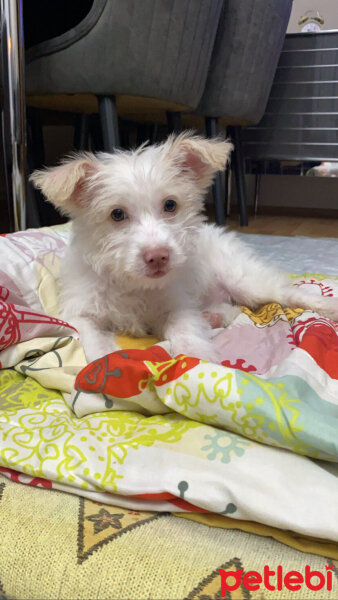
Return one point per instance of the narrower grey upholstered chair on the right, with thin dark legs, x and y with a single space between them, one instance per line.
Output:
249 40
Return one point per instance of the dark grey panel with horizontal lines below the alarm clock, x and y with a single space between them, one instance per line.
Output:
301 118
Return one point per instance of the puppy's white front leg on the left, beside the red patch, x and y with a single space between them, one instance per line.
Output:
95 341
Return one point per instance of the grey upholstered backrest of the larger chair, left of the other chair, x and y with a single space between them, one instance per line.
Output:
153 48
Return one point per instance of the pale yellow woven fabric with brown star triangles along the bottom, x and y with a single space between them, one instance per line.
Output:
58 546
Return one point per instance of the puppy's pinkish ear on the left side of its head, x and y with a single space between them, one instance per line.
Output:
65 185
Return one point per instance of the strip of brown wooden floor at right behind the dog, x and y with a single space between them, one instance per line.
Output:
284 225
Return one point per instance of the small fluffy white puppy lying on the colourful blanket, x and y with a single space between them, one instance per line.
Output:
107 284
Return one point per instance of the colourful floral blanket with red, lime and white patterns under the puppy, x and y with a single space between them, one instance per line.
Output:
254 438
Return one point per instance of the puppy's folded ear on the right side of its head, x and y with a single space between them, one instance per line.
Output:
199 157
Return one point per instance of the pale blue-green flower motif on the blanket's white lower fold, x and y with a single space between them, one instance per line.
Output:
223 446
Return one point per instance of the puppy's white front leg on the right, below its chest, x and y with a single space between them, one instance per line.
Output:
189 333
